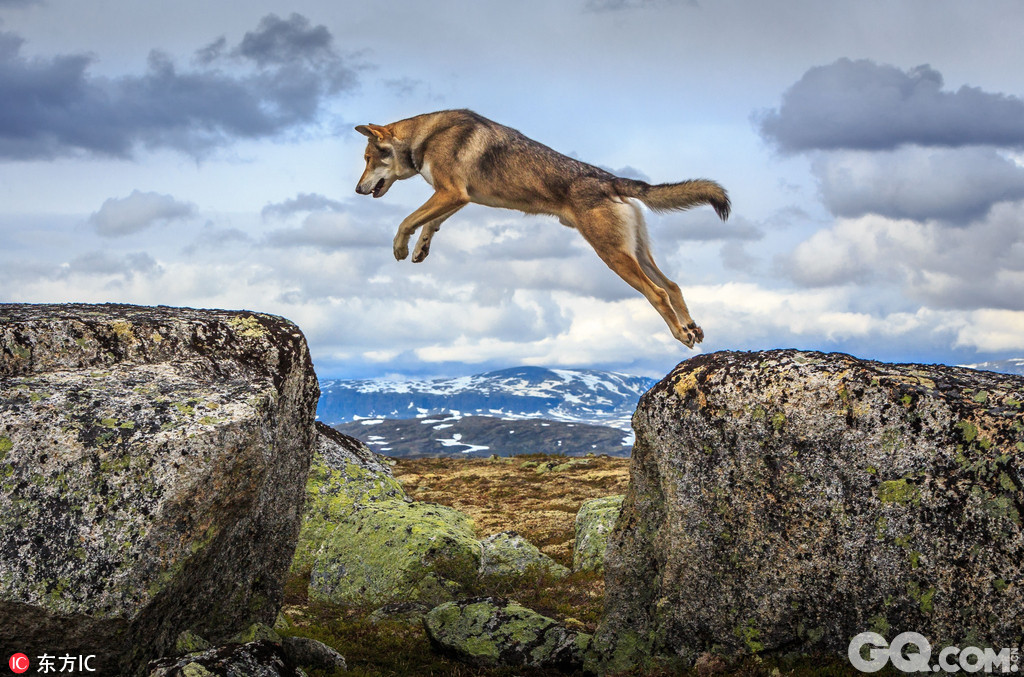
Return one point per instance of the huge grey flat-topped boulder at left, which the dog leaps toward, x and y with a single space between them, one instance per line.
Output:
153 467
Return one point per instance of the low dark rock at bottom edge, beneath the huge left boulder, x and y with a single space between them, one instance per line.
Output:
262 659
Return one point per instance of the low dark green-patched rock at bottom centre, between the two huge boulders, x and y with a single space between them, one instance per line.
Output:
492 631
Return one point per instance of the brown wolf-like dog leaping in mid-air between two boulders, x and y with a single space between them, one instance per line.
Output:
467 158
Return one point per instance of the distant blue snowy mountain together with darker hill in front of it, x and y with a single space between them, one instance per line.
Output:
514 411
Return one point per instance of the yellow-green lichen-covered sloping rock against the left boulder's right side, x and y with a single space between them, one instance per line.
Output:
366 543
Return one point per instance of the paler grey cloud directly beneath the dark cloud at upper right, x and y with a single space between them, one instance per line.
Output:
955 186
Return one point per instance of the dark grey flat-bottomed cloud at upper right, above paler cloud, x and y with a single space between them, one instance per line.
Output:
861 105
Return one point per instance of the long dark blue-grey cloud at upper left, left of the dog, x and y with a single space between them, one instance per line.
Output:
276 81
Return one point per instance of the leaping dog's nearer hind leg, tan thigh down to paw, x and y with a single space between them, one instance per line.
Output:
611 232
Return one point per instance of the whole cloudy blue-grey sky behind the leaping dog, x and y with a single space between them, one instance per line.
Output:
203 154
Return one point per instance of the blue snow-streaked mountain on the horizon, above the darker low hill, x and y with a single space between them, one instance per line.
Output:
524 393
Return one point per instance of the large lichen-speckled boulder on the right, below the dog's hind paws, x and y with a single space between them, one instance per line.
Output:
788 501
